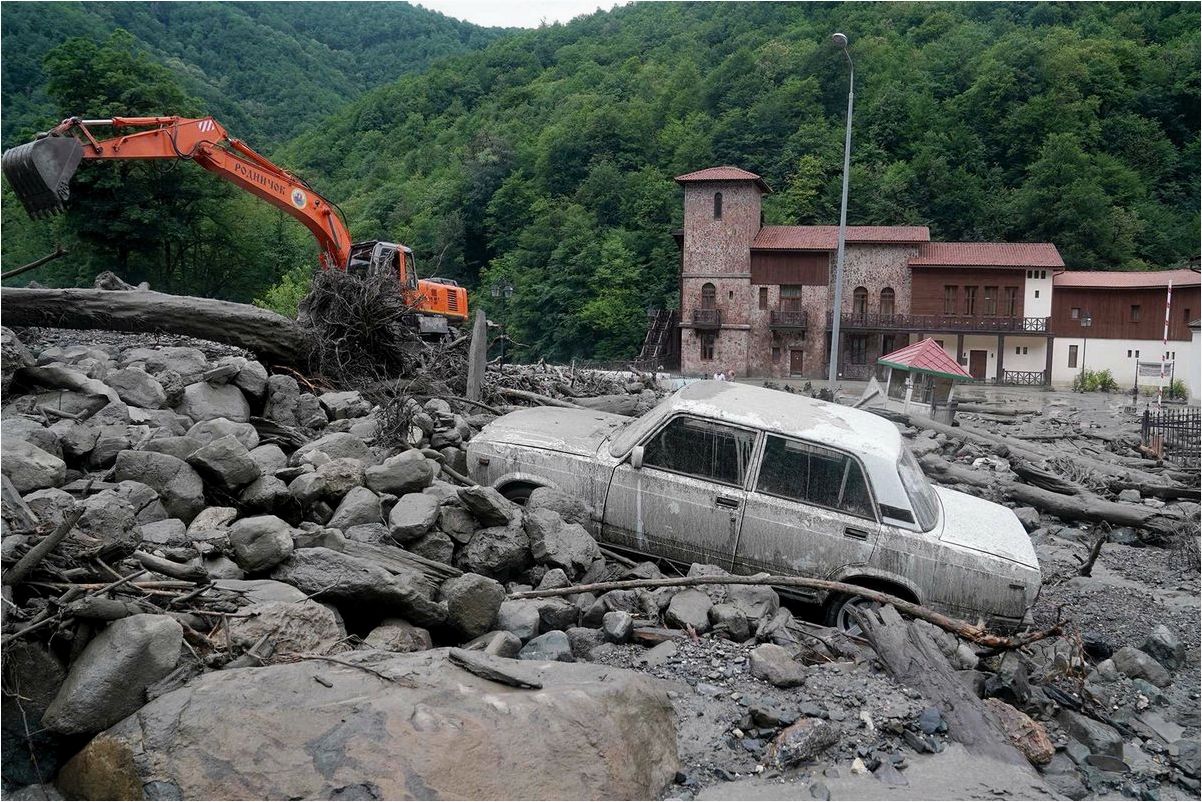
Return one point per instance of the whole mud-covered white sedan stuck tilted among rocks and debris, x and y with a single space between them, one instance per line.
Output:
760 480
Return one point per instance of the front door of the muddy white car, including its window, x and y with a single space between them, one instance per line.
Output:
686 502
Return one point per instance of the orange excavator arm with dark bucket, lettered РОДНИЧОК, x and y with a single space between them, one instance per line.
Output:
41 170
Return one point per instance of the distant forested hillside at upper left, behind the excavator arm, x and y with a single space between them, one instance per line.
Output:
265 69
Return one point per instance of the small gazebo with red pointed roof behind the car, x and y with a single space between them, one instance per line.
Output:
923 375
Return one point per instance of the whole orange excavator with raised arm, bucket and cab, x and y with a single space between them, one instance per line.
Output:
40 174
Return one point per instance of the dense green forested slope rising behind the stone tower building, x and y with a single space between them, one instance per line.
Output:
546 159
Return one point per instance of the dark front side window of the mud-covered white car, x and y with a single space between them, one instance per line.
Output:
701 449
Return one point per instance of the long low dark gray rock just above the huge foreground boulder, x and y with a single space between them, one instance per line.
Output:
347 580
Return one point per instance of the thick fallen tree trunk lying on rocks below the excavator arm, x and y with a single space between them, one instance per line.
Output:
275 338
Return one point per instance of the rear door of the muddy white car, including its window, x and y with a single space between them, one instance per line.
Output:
811 513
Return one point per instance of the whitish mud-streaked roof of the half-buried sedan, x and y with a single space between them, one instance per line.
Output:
789 414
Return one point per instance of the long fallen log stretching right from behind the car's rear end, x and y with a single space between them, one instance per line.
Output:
1084 507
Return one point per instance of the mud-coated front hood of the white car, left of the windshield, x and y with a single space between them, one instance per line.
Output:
570 431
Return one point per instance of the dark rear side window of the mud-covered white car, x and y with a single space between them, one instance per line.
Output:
814 476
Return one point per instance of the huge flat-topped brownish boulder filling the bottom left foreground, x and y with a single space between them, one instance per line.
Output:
437 733
